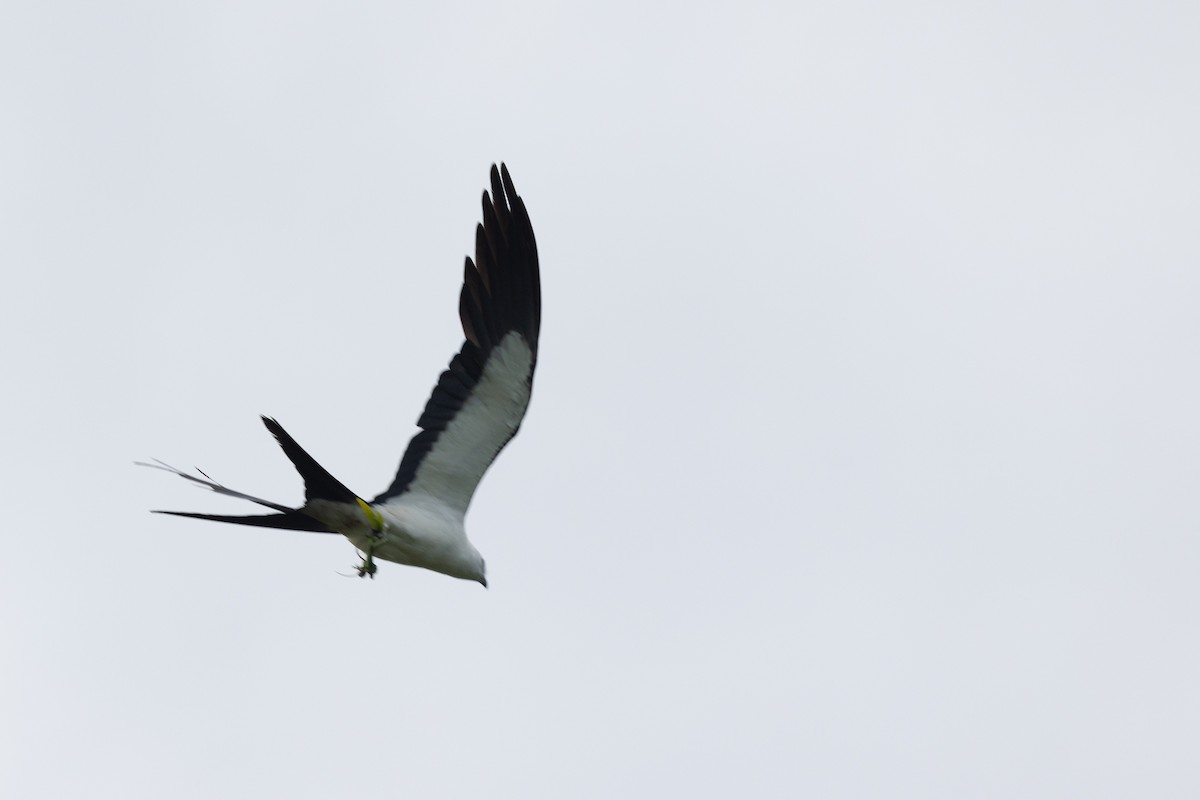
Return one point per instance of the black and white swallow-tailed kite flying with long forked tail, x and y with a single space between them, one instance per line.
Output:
476 410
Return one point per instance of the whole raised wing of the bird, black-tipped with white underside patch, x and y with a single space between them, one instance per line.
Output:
481 400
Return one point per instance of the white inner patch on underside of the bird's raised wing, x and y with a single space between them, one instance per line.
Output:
451 472
